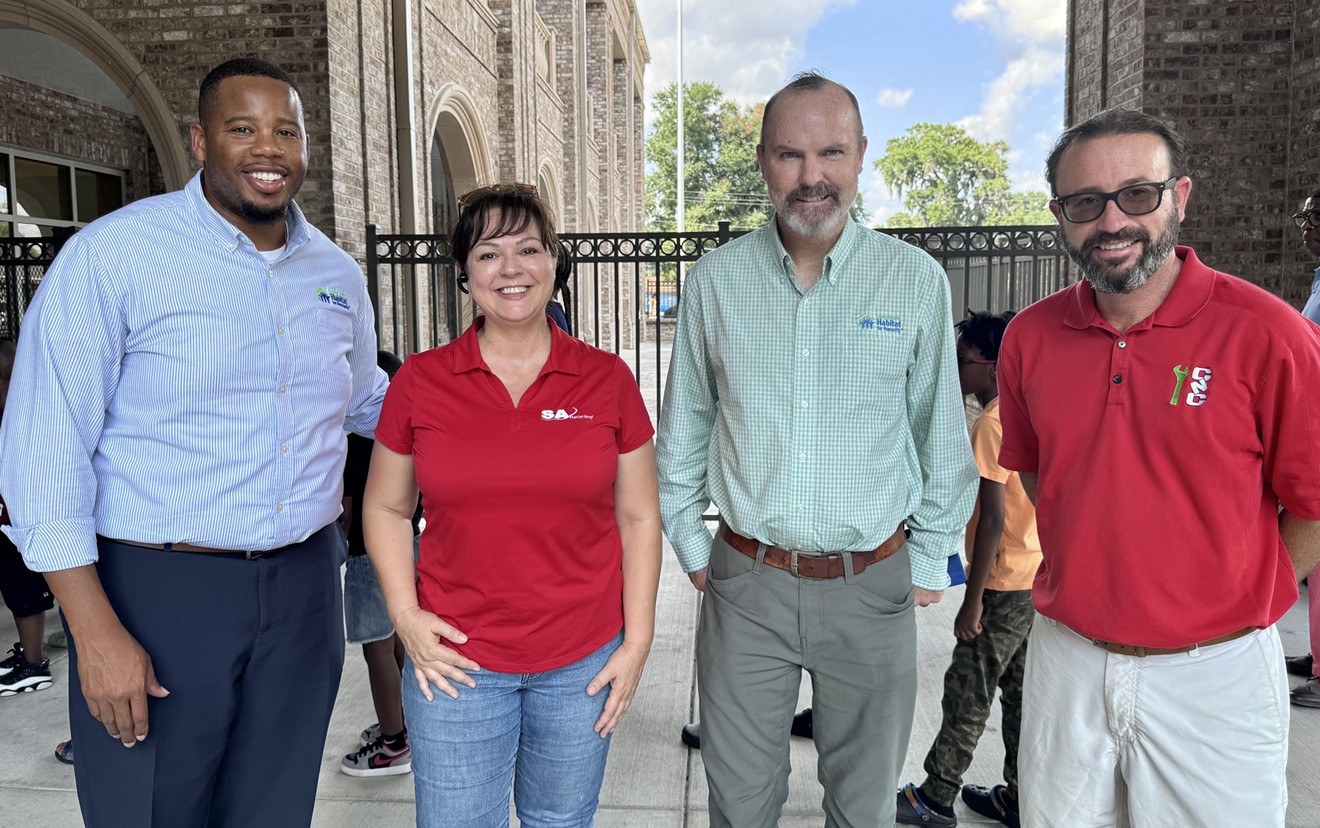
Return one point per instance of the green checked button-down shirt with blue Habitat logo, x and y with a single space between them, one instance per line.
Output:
820 421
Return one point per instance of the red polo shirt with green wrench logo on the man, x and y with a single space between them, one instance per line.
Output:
1164 455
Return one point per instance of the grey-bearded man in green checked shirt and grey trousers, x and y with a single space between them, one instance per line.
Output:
814 399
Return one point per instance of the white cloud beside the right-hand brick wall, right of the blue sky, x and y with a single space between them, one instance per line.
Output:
1032 30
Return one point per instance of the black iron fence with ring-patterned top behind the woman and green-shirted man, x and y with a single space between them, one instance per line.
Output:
626 287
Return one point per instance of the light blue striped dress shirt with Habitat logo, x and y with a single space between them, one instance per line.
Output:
172 385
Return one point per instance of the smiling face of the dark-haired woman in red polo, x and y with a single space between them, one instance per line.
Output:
511 277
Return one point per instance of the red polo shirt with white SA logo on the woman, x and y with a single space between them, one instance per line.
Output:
522 550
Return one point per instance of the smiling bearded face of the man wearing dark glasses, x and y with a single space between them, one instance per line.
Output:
1120 253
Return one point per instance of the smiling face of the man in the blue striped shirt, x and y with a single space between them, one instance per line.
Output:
254 154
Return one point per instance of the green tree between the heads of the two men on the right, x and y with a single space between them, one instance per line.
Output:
947 178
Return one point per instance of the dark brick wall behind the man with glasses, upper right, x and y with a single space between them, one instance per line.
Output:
1237 81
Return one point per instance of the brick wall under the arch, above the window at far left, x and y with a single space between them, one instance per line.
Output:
60 125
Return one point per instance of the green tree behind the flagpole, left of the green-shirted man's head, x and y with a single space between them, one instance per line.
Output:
721 176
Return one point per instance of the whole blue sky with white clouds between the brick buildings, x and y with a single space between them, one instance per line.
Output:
992 67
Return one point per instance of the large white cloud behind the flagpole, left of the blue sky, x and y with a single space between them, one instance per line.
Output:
746 53
